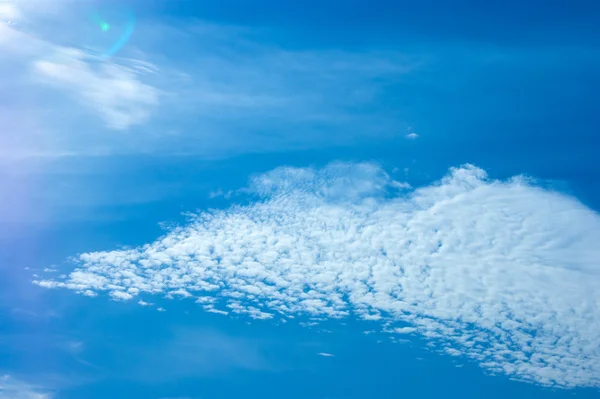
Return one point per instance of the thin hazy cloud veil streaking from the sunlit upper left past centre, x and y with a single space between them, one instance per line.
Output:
236 92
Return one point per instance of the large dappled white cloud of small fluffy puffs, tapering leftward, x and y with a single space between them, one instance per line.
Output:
502 272
